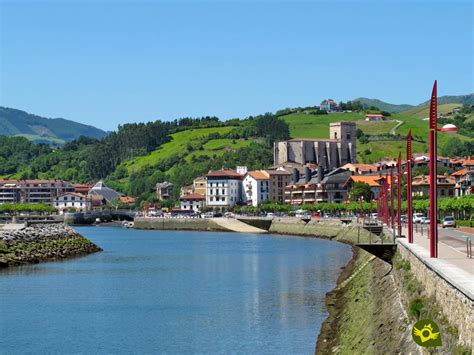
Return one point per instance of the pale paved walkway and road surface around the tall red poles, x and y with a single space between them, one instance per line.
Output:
452 262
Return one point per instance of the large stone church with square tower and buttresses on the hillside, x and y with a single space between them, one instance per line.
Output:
330 154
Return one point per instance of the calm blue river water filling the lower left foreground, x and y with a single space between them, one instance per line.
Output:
174 292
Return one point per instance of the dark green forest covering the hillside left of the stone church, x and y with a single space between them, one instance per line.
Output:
88 159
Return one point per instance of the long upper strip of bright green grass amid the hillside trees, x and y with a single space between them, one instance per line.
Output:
178 144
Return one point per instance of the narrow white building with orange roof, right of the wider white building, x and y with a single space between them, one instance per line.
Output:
256 187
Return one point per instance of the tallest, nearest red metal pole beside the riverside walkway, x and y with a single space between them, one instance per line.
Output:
433 174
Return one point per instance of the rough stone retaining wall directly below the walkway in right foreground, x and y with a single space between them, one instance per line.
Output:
457 307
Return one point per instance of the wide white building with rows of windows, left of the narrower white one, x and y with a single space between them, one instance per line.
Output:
223 189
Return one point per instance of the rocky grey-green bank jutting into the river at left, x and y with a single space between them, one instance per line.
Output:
41 242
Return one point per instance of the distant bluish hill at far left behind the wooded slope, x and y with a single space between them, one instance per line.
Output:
54 131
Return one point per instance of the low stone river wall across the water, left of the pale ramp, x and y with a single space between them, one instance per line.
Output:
198 224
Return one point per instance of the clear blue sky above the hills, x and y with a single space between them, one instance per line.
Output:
109 62
